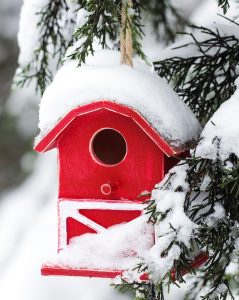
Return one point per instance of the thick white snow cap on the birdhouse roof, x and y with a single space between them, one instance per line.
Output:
103 78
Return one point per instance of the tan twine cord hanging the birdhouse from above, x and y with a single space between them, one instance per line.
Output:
126 41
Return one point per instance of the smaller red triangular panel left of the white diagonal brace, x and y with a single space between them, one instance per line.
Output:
75 228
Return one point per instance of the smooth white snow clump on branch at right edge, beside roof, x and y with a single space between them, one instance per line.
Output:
221 134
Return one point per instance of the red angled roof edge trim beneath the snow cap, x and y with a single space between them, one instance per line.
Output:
50 139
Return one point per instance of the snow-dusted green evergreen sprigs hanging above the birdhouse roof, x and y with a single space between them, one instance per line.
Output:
101 25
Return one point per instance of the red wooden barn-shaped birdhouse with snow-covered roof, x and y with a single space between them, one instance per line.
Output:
113 143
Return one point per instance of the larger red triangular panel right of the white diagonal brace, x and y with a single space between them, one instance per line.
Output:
108 218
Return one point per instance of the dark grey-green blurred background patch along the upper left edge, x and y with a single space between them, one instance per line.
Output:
16 135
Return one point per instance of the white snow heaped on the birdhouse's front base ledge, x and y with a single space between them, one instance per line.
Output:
117 248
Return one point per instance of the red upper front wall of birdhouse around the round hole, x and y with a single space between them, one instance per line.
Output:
82 176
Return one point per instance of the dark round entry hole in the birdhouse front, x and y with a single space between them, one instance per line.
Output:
109 146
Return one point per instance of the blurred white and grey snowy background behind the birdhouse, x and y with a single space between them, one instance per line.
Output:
28 221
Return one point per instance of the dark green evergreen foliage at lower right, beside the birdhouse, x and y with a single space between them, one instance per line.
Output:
214 234
